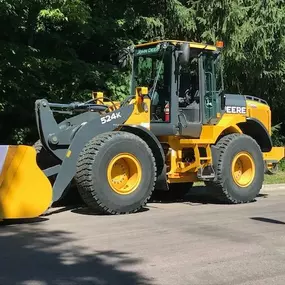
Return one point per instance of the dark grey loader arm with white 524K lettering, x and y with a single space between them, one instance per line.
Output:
67 139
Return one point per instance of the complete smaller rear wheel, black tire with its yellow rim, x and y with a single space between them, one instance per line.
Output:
239 170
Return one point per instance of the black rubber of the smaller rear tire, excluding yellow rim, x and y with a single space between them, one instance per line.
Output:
225 188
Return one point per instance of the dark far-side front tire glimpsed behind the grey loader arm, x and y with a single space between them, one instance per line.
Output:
45 160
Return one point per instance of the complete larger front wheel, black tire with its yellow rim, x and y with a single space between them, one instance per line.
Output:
99 186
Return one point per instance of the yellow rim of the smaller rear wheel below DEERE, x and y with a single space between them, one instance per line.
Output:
243 169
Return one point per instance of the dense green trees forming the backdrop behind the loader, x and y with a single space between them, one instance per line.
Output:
62 49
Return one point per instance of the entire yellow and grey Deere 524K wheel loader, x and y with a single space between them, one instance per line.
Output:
177 126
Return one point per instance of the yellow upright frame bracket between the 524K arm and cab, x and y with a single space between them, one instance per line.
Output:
141 112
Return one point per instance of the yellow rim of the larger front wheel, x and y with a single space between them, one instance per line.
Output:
124 173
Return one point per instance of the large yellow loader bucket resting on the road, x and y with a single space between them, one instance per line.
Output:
25 191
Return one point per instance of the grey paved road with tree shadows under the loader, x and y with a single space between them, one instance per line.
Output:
187 243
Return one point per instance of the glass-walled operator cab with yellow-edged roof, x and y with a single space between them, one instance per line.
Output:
184 78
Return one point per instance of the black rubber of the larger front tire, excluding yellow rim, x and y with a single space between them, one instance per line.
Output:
92 180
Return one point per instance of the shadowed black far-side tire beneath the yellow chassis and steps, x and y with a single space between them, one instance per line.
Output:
176 192
